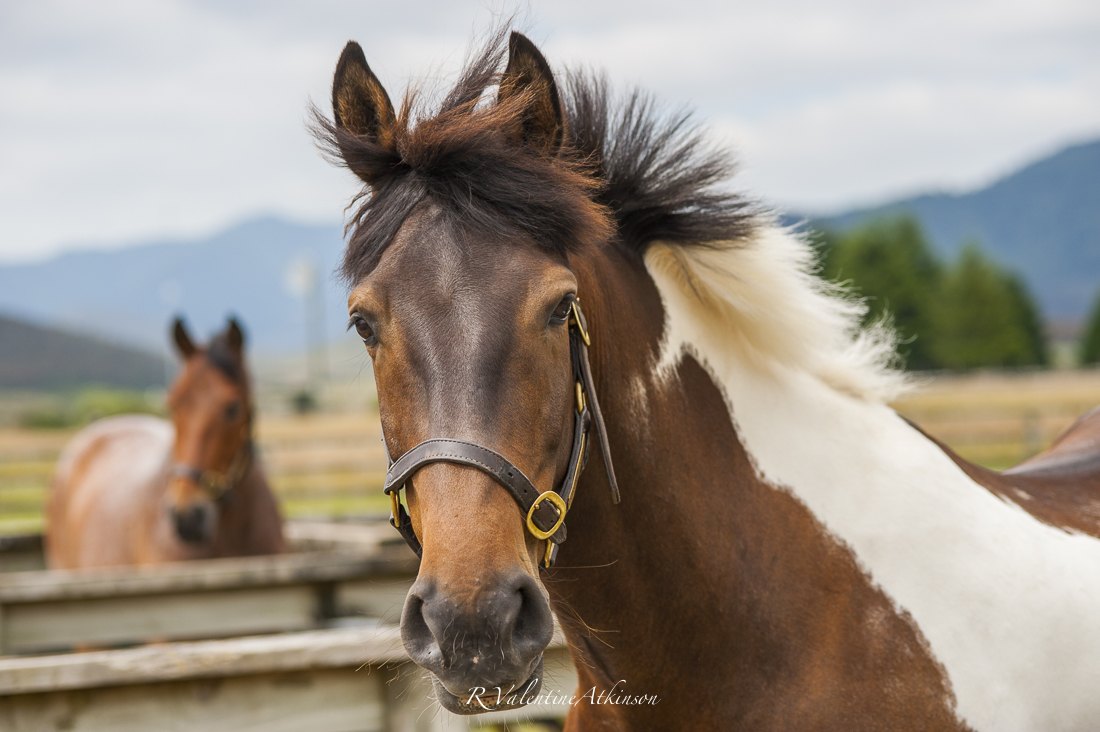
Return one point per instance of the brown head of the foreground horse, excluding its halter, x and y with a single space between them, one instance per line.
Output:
463 290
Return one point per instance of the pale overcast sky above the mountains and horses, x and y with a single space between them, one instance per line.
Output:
126 121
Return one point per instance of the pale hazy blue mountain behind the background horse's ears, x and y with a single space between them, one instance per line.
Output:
133 293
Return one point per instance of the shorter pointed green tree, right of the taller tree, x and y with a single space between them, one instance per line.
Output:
985 318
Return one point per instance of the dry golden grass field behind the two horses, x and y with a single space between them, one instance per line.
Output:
333 465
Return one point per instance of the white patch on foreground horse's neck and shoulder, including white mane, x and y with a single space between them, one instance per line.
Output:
1009 606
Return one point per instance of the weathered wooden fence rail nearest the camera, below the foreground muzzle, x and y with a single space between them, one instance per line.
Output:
350 680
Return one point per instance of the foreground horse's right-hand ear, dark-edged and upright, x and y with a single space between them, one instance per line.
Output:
529 74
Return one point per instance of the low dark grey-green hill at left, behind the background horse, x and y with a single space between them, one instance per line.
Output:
39 357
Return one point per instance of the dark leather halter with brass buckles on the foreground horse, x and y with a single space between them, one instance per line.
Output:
544 511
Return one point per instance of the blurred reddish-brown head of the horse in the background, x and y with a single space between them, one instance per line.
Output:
212 412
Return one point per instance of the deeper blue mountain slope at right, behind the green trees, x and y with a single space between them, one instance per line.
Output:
1043 222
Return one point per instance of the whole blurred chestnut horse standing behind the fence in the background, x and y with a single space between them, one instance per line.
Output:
139 490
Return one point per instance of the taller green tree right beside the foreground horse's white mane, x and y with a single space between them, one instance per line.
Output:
890 264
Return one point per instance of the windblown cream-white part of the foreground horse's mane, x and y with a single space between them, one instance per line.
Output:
779 313
